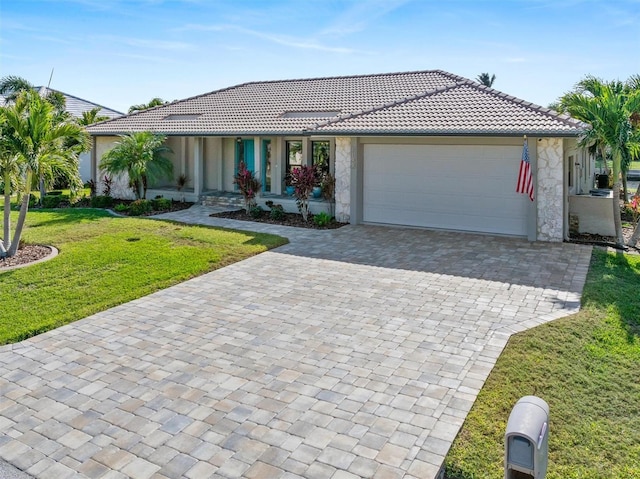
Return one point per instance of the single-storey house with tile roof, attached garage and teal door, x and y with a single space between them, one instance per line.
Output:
425 149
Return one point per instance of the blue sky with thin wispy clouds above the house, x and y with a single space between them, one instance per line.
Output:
123 52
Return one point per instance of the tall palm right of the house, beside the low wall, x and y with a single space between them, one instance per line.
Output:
607 107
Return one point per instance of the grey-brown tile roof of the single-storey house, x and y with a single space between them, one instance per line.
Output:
411 103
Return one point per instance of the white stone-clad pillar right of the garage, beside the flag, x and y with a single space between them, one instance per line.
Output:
549 192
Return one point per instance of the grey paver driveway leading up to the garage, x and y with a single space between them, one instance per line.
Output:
347 353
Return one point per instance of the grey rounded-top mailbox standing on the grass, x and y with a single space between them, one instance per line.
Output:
526 441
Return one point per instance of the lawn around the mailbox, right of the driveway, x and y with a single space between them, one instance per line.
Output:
587 368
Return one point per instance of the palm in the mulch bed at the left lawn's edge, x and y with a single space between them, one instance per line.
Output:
32 136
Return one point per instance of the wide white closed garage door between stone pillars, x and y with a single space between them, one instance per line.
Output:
469 188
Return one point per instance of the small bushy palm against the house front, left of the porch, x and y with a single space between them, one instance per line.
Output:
143 157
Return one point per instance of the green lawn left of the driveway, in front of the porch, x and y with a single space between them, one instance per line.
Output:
105 261
